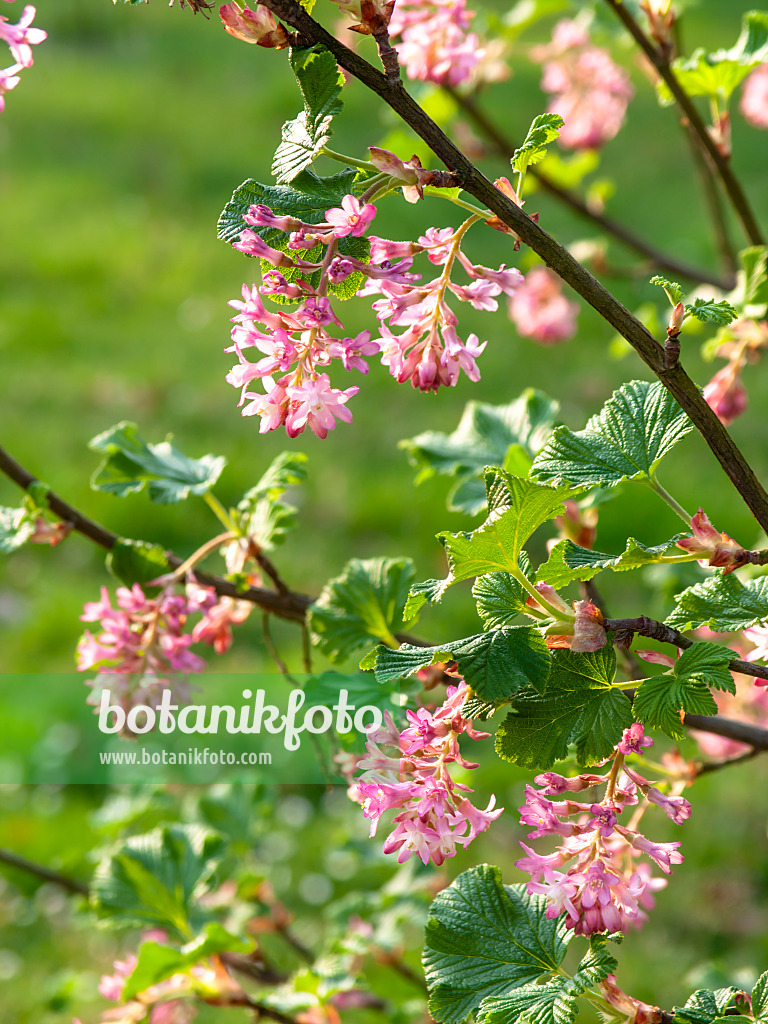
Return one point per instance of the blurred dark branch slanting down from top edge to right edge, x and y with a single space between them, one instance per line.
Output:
695 122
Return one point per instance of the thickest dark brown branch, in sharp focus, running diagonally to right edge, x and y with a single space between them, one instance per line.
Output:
573 273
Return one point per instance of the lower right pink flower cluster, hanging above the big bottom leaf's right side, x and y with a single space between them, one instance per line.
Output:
602 889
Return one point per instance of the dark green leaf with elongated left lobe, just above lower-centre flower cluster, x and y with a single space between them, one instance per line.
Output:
496 665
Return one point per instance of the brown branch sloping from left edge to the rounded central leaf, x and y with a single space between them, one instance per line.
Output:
286 605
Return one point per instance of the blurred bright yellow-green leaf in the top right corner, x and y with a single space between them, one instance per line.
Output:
717 75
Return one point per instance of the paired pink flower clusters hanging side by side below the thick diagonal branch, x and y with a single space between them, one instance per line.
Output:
298 345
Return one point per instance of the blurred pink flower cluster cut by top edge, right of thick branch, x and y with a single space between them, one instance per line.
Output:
435 42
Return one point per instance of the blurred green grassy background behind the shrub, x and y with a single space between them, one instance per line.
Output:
117 153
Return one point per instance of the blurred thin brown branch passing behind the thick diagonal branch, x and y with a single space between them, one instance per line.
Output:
661 261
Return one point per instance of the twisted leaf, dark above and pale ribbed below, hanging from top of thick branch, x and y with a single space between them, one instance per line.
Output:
321 83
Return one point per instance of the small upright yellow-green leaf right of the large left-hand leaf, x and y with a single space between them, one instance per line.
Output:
262 514
